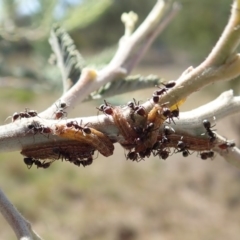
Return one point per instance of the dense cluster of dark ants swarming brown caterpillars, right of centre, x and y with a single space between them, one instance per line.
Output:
166 140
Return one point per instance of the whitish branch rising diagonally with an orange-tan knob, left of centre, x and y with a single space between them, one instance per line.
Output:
91 80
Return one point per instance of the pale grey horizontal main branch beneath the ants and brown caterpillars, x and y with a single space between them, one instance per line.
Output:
16 135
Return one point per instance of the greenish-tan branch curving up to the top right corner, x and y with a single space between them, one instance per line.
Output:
220 65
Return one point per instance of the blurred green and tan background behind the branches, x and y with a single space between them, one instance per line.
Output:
115 199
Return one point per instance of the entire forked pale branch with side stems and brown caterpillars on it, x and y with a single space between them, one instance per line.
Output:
134 126
